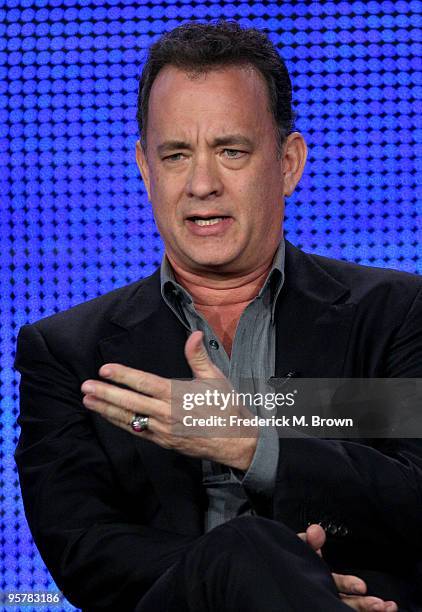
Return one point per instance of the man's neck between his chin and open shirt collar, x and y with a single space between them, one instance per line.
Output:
223 291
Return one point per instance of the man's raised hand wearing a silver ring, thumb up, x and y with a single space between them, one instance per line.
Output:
153 396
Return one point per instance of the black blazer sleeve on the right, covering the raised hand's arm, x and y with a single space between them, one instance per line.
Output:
366 493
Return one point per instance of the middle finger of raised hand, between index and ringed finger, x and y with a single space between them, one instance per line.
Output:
124 399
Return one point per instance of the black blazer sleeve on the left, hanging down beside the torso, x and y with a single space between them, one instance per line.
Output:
99 558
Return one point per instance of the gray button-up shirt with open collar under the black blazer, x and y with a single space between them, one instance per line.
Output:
252 361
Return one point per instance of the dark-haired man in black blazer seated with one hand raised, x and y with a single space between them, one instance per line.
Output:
125 513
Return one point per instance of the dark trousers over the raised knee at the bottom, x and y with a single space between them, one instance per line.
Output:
249 564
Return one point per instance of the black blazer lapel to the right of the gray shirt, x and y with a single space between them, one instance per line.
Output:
313 319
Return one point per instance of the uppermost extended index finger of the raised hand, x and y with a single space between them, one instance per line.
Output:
138 380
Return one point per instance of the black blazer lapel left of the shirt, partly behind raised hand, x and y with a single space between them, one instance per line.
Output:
152 339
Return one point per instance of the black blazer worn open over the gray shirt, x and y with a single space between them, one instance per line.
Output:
110 513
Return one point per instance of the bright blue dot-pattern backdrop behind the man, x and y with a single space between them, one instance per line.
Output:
75 221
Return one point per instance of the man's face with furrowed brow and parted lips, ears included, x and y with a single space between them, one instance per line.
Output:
211 169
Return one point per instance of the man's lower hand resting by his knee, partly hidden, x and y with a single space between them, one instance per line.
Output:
351 588
